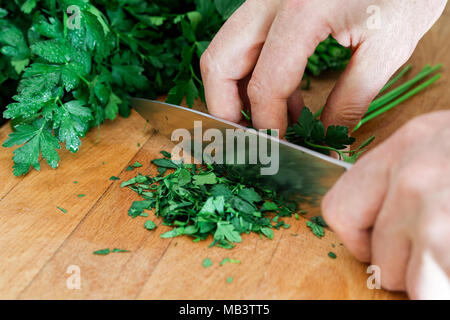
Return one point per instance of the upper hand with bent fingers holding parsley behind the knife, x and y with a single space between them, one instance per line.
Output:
258 57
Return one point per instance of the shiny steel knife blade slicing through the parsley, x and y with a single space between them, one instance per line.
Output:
303 176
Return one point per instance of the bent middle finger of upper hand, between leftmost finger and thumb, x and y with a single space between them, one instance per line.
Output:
296 31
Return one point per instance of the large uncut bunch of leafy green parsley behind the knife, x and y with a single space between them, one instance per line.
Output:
63 73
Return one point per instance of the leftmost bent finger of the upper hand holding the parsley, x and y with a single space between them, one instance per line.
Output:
233 54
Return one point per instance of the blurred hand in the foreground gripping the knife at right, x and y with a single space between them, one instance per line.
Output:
393 208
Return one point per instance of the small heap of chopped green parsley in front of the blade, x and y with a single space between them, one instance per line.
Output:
208 200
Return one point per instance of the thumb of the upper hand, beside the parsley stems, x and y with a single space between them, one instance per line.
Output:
370 68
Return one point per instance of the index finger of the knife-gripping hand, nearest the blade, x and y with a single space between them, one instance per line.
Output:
352 205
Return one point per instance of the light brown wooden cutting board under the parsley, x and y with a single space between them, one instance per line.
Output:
41 248
